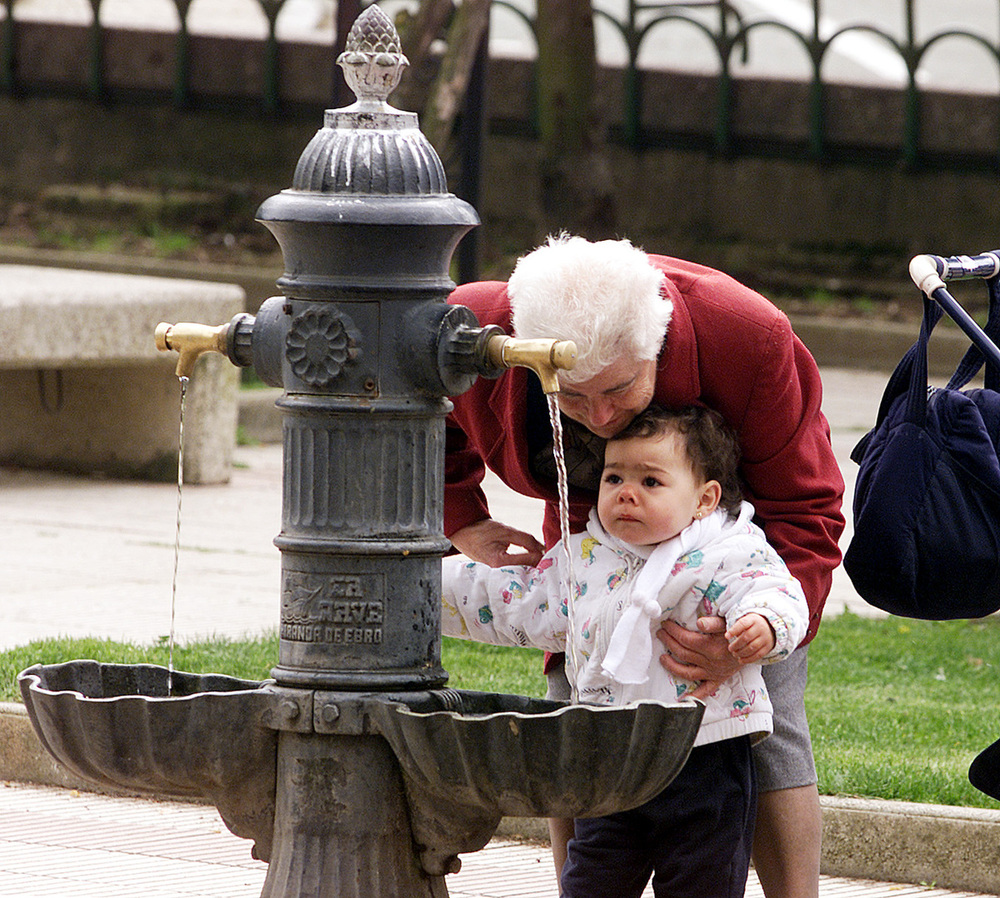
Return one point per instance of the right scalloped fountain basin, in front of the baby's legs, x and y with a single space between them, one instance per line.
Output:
535 758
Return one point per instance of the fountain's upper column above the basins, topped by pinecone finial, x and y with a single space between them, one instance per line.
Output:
367 231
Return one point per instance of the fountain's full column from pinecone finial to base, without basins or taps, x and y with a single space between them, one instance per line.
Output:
367 232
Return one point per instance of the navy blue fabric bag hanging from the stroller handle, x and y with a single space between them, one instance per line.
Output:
926 538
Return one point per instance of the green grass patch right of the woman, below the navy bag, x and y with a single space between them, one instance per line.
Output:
899 708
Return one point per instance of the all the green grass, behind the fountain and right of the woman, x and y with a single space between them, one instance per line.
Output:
898 708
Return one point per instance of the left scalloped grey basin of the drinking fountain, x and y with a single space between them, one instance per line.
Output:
118 726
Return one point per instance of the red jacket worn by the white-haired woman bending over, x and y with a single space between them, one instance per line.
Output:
727 347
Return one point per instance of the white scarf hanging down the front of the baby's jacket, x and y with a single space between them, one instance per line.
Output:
630 649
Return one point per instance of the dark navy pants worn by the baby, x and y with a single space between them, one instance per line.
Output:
694 837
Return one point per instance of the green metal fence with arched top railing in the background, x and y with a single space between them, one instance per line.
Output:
722 25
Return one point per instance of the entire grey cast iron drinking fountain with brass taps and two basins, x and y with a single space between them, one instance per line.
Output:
355 771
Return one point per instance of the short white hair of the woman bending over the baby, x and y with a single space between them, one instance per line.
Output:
606 297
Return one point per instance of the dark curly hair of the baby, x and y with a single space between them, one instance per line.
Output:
710 442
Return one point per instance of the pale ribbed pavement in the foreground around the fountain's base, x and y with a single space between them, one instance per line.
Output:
56 843
